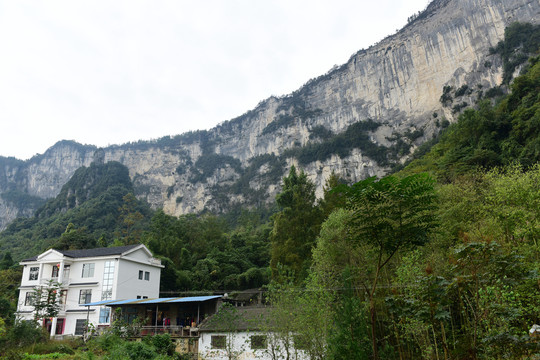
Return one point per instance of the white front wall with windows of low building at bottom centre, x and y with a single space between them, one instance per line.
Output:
242 345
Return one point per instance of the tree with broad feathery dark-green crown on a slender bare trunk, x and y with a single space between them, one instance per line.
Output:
390 215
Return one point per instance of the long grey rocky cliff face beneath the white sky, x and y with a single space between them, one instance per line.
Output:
395 85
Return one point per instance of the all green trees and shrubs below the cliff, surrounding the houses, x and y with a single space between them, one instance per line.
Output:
410 266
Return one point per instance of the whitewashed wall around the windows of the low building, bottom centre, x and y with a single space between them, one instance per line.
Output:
241 347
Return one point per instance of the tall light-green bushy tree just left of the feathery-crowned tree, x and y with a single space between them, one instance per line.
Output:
338 268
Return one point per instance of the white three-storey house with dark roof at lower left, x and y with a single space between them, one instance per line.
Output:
85 276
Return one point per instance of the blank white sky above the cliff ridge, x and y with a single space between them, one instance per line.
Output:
109 72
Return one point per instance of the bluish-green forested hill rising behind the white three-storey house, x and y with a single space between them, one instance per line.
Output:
96 201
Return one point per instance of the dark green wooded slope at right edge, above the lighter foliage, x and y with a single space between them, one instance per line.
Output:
491 135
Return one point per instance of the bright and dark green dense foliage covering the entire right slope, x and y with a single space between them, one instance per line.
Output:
468 288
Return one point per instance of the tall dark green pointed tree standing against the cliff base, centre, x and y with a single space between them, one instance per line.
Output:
296 226
